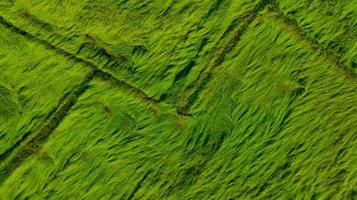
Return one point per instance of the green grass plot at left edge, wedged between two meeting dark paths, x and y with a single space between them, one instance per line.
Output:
33 80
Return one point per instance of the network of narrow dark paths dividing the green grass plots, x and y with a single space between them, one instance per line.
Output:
32 142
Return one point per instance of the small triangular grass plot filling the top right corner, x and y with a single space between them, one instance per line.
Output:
332 24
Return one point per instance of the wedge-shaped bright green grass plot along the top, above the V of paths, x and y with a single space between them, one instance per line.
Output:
155 52
